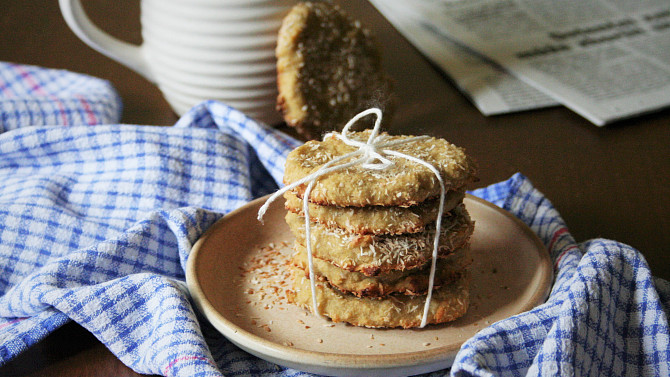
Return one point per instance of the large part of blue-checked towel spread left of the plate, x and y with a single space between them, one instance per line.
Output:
96 224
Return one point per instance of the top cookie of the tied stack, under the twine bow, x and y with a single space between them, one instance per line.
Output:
405 183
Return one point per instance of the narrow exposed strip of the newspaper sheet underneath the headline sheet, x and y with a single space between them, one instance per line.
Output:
489 87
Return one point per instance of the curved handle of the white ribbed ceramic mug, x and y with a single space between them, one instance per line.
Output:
125 53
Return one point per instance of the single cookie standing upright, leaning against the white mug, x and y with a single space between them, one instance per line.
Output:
328 69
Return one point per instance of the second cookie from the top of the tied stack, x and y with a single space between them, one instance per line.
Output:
376 219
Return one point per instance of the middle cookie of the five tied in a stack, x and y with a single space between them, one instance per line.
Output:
375 254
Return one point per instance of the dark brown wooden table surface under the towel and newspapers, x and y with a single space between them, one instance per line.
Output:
609 182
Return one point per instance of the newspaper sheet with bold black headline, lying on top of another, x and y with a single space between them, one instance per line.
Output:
605 59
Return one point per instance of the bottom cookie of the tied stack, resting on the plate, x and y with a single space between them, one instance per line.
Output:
448 303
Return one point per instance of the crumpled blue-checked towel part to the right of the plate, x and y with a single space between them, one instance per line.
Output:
606 314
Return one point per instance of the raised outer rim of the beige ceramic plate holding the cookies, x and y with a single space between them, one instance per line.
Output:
338 361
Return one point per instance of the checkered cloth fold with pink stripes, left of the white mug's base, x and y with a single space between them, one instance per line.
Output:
36 96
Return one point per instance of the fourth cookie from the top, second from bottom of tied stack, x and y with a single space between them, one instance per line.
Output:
408 282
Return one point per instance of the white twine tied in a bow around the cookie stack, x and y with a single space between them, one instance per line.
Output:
371 155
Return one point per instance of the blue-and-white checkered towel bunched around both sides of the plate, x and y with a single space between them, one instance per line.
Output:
96 224
